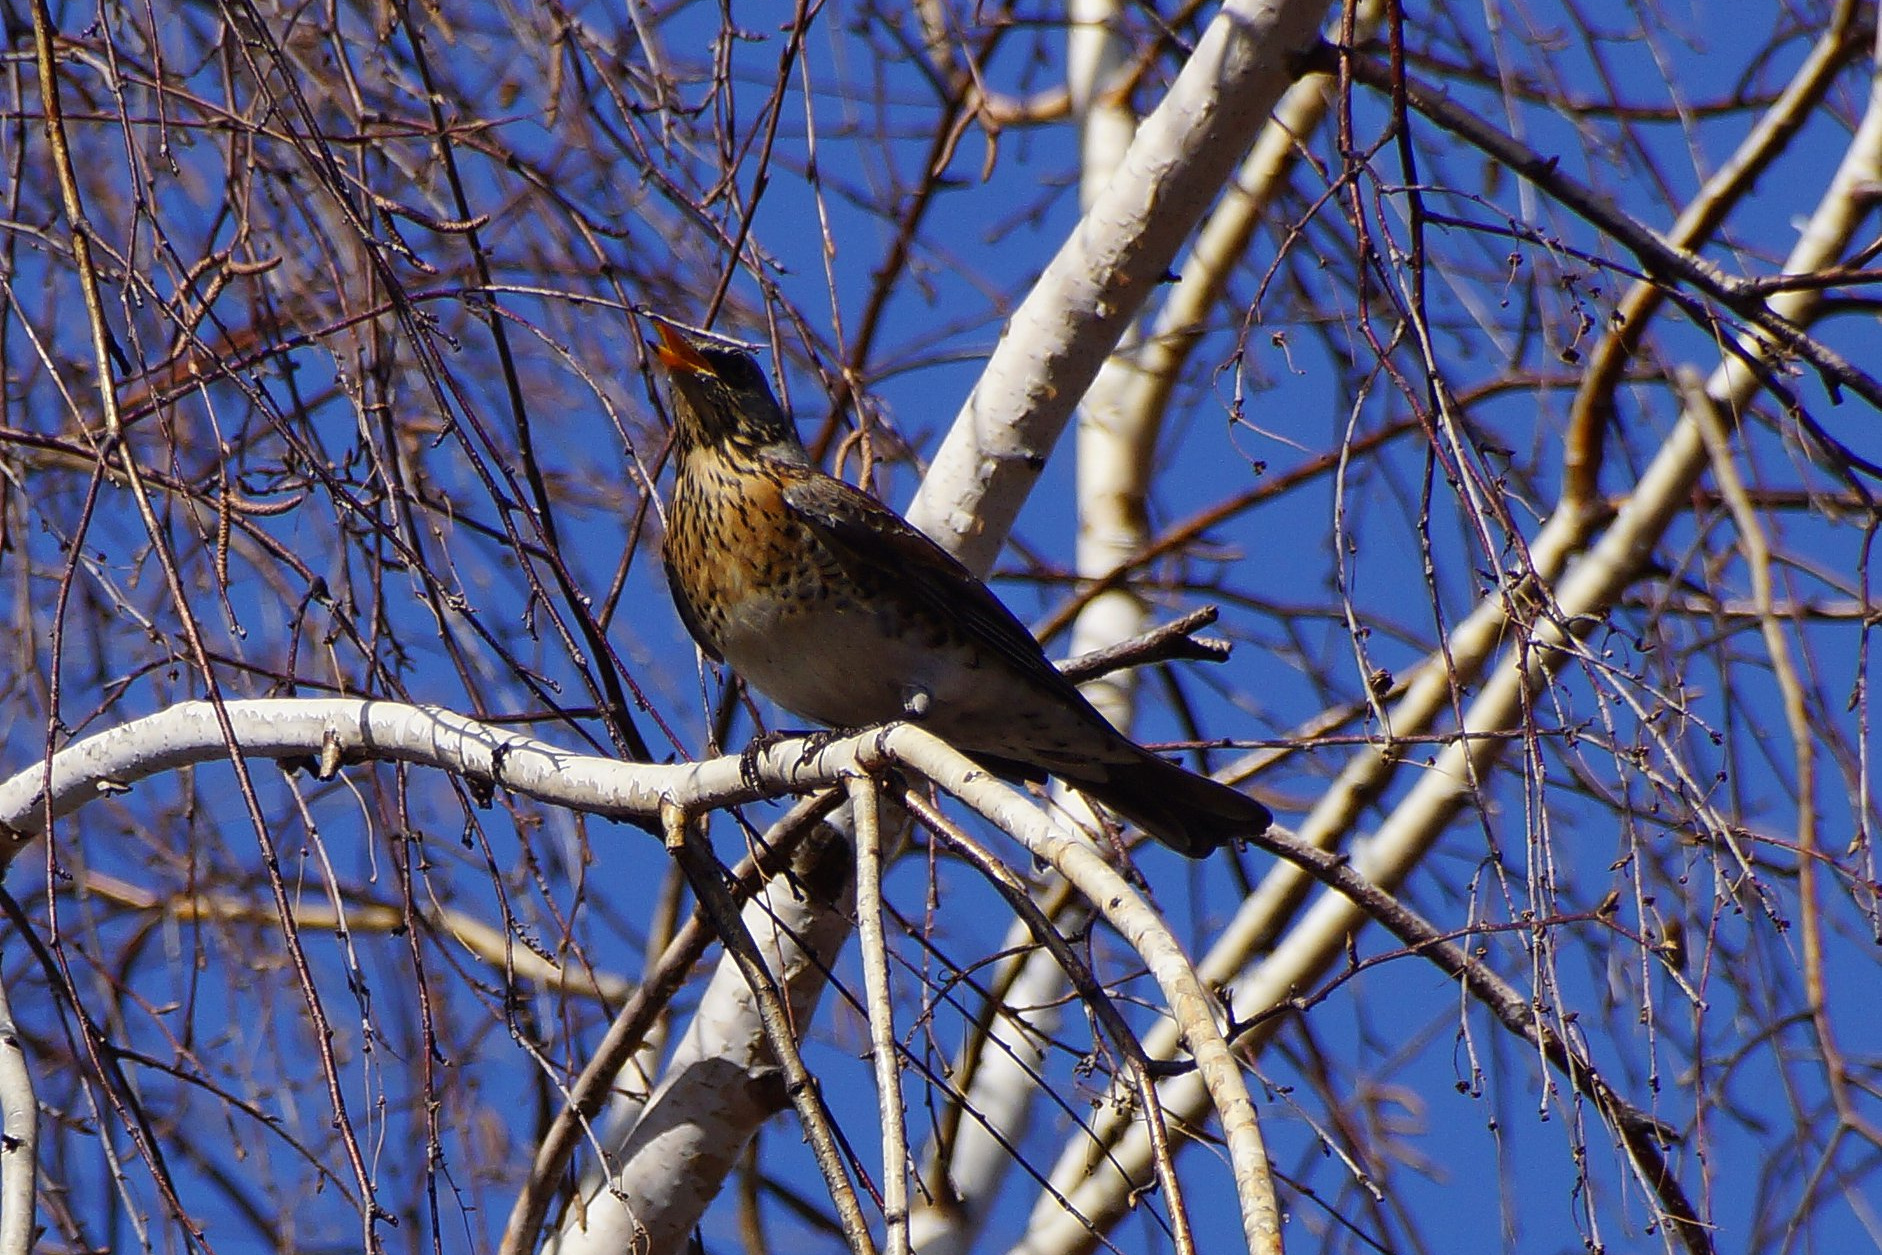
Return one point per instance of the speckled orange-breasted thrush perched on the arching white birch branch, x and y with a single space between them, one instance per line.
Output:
842 612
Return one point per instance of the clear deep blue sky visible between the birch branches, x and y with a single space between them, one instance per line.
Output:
1388 1051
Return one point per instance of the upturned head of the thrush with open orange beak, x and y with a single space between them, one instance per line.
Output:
722 398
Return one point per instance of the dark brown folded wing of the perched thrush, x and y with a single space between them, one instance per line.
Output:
884 548
